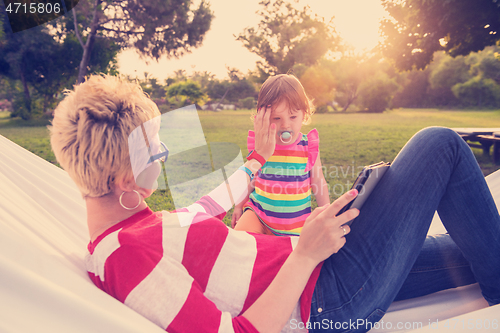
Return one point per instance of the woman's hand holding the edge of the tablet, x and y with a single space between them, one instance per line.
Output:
323 231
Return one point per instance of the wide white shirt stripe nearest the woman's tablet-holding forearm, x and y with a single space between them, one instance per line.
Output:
230 277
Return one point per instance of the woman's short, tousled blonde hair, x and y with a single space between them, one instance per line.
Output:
90 129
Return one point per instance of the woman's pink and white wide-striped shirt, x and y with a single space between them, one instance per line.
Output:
196 278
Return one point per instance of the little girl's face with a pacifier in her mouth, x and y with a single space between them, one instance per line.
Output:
286 120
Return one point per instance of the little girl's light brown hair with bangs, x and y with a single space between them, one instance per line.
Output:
285 88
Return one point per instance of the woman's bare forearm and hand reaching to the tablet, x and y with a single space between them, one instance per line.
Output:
321 237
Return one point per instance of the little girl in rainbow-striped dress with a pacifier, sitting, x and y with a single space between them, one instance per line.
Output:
280 194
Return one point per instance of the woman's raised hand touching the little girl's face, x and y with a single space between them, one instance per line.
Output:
265 133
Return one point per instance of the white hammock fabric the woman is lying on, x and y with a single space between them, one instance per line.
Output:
43 283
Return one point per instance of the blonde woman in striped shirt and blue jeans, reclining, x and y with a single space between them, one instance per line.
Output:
187 272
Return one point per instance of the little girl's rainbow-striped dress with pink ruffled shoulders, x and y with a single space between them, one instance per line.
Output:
282 195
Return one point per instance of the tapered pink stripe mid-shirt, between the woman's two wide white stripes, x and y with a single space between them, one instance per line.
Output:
199 265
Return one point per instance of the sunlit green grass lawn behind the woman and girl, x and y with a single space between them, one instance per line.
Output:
347 141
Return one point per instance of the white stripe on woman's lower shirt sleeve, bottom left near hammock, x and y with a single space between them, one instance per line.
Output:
162 294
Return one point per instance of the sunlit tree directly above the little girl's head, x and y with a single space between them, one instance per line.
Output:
287 36
